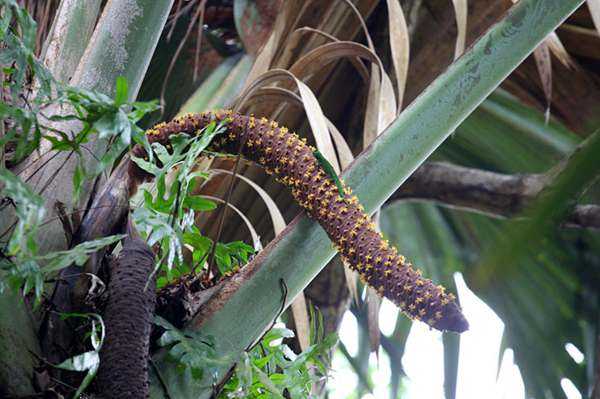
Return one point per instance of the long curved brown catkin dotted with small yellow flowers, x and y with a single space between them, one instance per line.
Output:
292 161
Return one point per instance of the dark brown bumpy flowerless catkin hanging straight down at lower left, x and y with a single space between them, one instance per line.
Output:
128 316
